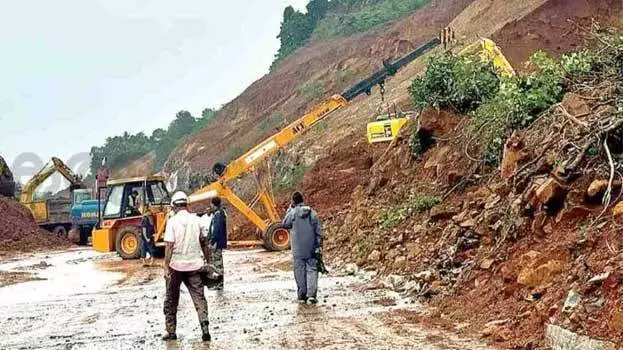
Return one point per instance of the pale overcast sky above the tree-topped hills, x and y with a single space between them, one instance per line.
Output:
74 72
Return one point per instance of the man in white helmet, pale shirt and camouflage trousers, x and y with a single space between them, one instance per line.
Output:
186 252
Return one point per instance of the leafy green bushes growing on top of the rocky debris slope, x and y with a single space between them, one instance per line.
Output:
497 106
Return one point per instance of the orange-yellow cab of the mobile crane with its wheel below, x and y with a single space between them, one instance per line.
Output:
127 201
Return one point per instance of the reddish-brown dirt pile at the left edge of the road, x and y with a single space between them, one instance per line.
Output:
20 233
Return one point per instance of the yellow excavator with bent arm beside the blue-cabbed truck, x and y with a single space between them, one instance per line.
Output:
54 214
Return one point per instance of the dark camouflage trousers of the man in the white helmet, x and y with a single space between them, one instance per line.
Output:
194 284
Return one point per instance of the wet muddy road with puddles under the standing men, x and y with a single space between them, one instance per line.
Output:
83 300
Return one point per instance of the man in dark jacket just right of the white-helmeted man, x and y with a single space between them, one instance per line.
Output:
218 239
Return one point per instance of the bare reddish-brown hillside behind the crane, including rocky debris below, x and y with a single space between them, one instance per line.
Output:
449 255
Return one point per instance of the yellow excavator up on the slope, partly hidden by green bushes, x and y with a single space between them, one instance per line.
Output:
386 127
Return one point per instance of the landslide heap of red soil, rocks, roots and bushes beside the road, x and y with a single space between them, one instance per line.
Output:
509 216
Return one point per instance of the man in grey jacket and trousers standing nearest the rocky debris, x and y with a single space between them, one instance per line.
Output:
306 240
